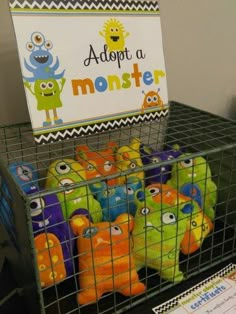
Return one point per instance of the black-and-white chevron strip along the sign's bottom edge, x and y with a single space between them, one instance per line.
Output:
76 132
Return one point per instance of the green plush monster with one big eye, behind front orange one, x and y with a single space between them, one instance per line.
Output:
67 173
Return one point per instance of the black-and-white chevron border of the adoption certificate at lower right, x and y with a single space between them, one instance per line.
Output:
172 303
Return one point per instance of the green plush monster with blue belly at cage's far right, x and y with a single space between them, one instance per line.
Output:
192 177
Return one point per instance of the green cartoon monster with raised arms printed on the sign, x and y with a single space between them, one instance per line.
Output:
47 92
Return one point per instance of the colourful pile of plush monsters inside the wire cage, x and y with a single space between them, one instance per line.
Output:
118 210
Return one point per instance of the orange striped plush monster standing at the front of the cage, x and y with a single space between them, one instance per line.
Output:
106 262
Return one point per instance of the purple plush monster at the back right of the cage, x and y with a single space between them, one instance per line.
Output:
153 157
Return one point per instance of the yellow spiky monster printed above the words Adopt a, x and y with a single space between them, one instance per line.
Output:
114 34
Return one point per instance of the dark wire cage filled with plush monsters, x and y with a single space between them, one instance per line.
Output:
91 239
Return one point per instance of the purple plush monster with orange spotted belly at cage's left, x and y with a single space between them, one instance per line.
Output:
56 235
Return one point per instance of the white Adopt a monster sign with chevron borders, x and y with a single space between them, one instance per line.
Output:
89 66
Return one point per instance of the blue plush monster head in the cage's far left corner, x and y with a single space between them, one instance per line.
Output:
25 175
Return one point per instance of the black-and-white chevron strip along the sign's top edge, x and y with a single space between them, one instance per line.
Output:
121 5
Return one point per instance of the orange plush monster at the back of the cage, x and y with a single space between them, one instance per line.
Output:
98 163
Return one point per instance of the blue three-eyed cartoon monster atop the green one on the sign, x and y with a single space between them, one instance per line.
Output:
41 60
